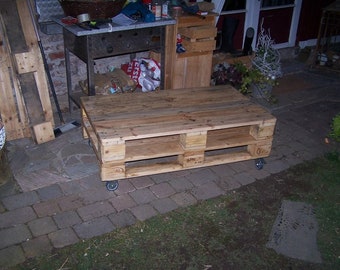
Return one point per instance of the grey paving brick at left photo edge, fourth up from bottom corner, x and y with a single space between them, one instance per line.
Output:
20 200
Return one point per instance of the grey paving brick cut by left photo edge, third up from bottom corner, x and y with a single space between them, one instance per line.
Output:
17 216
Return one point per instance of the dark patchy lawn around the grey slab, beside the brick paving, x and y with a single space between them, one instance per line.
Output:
229 232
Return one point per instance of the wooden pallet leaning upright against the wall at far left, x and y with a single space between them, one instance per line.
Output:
25 105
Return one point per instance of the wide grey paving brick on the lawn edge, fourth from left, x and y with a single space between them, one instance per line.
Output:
94 227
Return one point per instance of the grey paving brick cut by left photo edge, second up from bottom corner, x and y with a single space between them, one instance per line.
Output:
15 235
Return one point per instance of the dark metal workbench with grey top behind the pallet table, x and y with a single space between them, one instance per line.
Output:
113 40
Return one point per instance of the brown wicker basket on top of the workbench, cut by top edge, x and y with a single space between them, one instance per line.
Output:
97 9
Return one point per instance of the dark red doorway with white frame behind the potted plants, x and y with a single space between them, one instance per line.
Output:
278 17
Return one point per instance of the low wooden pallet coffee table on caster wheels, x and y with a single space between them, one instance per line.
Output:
136 134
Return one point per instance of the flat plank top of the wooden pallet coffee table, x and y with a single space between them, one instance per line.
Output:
140 115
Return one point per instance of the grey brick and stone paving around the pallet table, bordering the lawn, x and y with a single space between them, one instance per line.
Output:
57 198
